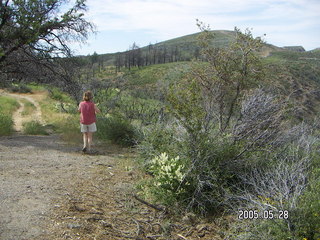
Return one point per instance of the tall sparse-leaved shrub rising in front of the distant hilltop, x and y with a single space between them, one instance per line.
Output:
228 73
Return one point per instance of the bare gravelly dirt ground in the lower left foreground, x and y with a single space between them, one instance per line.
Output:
35 173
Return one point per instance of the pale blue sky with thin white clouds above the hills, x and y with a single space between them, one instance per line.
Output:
120 23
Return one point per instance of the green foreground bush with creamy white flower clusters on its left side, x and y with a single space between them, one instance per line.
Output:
201 161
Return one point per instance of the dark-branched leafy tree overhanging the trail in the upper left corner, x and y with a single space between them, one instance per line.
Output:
33 32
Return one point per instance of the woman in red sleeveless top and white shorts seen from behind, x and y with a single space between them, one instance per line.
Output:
88 112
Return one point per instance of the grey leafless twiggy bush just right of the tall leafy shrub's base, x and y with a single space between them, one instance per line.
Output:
260 120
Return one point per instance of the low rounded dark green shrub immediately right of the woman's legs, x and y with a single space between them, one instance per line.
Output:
118 130
